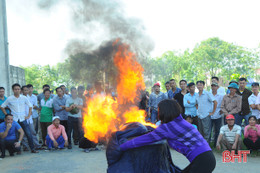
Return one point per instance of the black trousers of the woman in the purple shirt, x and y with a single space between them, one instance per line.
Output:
203 163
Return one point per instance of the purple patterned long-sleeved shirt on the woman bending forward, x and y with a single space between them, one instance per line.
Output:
180 134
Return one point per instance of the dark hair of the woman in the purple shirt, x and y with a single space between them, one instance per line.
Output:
168 110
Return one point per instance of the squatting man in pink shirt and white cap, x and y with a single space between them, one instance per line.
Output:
57 137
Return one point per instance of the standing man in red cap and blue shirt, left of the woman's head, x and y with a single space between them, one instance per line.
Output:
154 100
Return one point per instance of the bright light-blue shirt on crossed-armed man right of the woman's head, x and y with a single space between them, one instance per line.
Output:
190 108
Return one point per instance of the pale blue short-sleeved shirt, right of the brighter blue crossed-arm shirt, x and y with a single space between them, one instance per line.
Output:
204 103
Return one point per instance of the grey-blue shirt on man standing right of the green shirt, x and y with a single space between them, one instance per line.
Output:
57 102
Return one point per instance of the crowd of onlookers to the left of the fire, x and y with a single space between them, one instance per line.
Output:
32 121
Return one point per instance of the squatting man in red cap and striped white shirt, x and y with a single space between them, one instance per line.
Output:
229 135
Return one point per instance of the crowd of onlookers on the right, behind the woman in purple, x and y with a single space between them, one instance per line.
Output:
222 117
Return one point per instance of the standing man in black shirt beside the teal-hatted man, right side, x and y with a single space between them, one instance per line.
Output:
245 110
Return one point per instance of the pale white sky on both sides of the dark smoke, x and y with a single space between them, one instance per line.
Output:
39 37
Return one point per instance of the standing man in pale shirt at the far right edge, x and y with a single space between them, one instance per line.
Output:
252 100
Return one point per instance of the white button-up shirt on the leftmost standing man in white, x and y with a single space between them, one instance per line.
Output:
17 106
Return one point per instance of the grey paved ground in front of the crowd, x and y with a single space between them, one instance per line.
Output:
77 161
